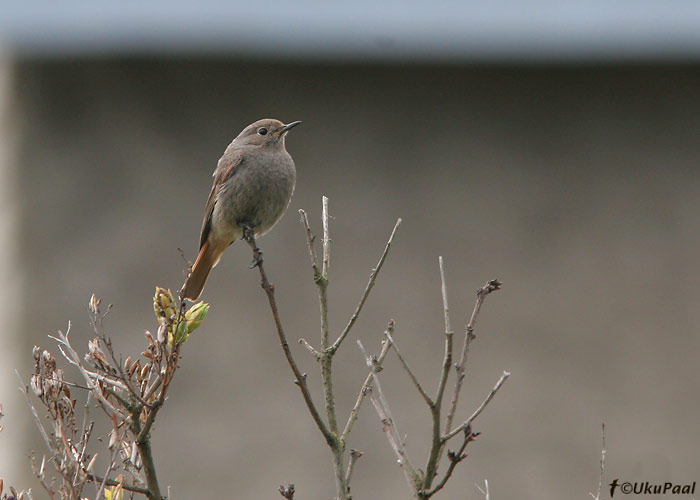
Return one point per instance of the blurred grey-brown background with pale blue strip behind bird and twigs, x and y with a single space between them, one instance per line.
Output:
552 145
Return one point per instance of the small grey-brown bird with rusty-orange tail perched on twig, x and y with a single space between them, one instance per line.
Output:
253 185
